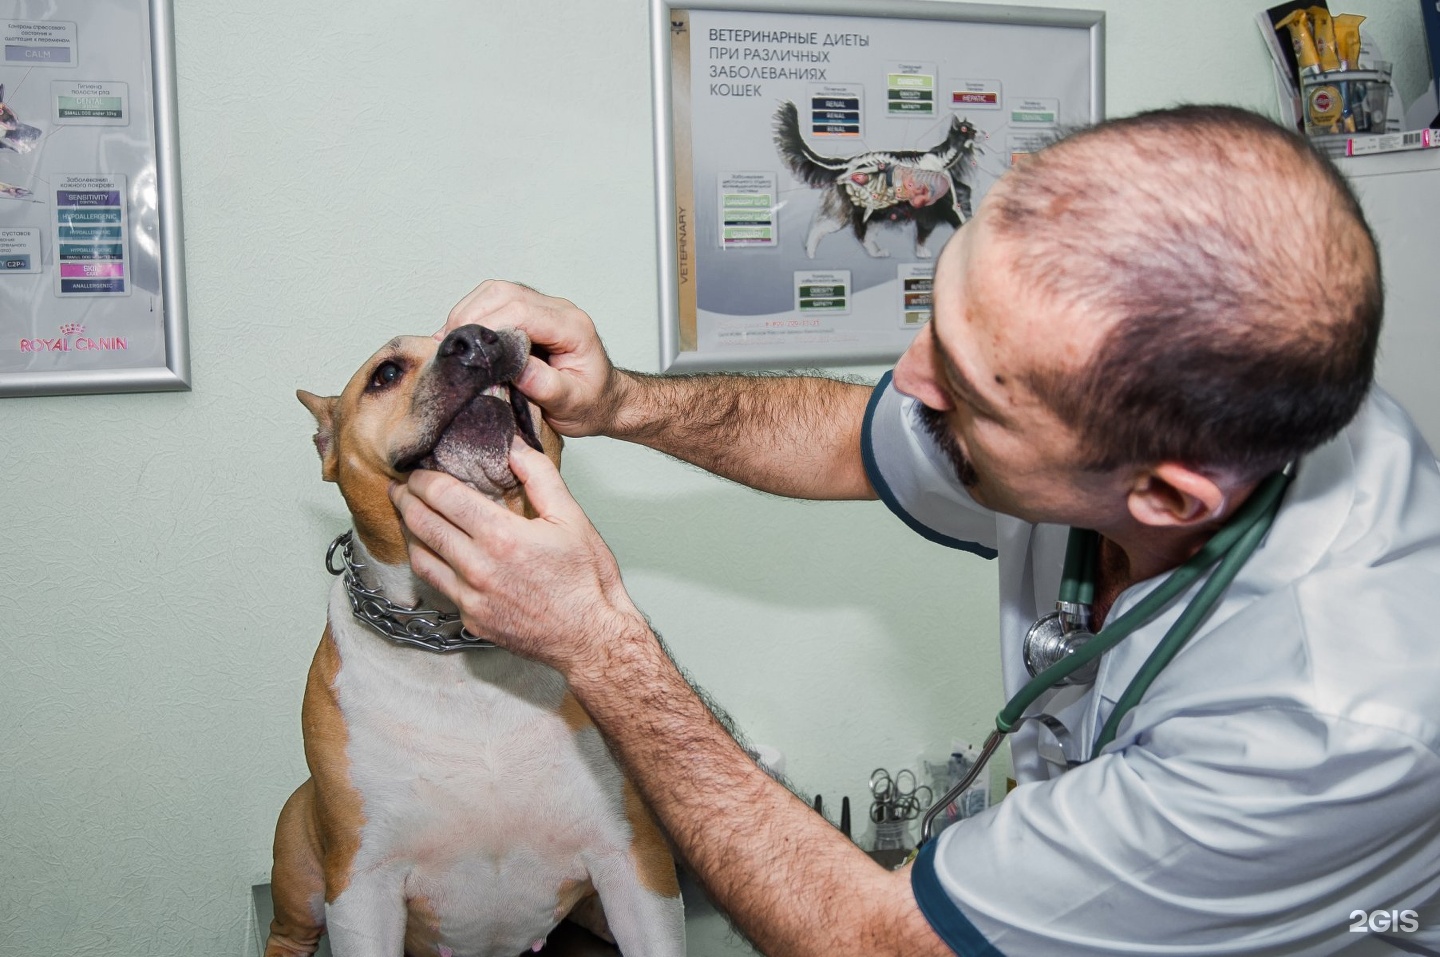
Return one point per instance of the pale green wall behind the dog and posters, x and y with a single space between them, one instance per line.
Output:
348 179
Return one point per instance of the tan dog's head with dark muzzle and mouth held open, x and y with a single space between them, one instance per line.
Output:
420 404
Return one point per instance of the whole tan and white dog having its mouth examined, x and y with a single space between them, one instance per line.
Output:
460 805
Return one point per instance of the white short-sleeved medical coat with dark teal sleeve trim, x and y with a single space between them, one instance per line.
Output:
1279 784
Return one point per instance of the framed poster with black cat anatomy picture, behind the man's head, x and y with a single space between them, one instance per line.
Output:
814 158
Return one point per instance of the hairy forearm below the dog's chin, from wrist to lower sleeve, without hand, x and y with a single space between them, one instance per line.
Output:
788 879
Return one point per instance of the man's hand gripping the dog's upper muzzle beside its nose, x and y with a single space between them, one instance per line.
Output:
577 386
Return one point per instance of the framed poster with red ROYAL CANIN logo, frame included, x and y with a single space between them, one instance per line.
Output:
91 268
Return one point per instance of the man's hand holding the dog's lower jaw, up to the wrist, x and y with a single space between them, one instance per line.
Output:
544 588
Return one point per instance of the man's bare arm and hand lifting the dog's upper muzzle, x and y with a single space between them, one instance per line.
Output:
791 435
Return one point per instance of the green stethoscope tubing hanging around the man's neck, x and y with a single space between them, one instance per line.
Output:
1228 552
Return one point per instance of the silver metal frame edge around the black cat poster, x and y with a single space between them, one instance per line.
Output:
679 352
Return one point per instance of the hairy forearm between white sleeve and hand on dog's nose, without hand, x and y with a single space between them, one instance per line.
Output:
790 435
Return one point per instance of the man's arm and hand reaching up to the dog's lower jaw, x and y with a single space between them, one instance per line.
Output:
551 591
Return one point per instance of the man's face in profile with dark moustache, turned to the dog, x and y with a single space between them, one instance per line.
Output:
968 371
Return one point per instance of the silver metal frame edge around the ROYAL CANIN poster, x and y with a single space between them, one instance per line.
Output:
165 159
